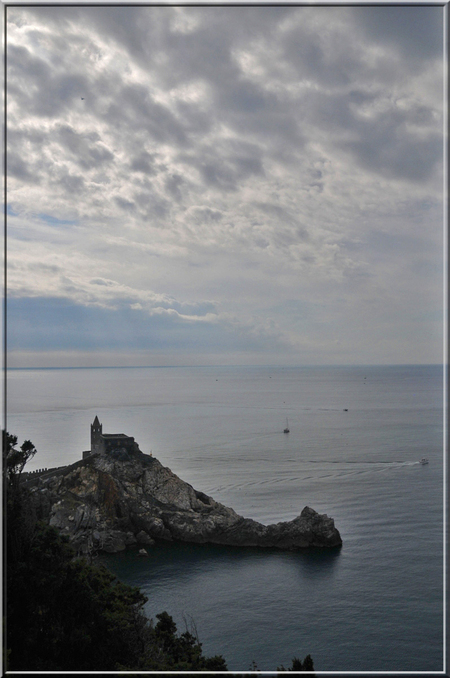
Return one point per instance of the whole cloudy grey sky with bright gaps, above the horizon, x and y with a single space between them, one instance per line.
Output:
224 185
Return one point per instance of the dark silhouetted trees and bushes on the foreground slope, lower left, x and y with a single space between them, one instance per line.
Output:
65 614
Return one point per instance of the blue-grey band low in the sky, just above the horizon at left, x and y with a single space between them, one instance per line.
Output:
55 324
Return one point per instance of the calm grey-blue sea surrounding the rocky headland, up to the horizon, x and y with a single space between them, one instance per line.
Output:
353 450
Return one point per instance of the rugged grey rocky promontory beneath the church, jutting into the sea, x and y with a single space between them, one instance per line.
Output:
108 504
